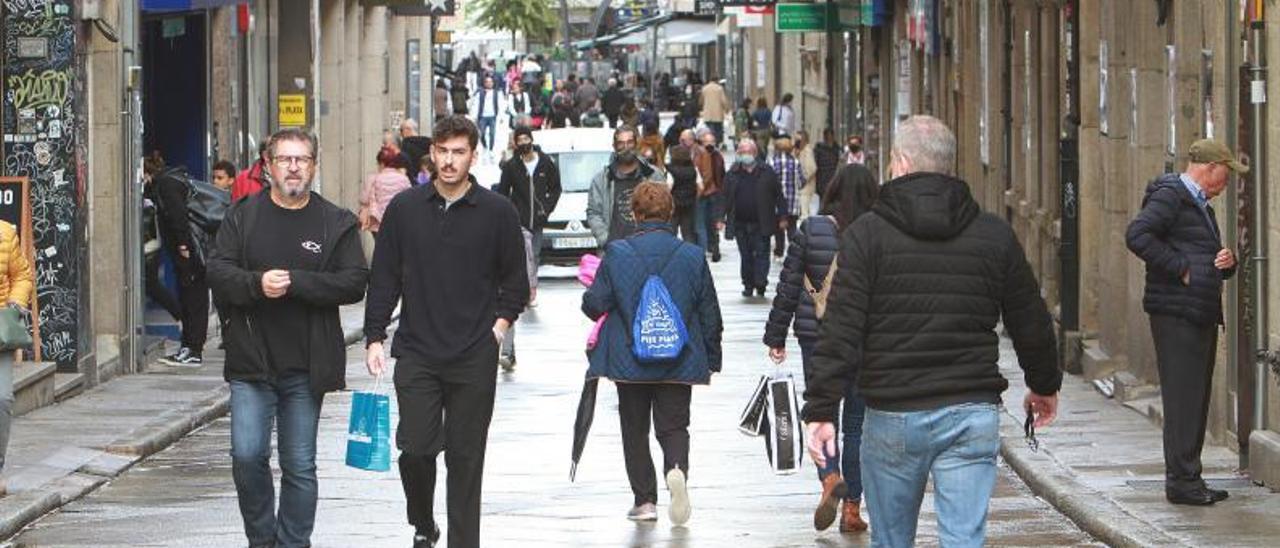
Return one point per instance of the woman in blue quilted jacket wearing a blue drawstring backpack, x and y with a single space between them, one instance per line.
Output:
662 336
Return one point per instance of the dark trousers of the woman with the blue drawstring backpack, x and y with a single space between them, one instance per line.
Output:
669 405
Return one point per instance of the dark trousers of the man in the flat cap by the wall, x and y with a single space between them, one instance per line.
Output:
1185 355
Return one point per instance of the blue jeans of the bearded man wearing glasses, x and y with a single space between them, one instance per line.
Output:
296 413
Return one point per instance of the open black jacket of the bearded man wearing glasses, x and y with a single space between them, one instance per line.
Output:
341 281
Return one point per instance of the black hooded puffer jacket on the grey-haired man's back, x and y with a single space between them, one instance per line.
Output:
912 318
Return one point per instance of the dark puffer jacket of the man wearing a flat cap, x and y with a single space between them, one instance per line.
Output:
1173 236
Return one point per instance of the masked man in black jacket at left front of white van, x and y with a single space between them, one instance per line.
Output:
531 180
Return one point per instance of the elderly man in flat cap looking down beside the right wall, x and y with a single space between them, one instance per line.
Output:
1178 238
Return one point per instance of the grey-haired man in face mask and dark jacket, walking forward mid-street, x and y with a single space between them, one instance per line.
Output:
756 208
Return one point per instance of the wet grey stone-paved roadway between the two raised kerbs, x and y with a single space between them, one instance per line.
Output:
185 497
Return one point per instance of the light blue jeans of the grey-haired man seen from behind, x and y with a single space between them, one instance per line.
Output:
957 445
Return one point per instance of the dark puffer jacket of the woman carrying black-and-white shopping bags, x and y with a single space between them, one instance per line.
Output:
810 255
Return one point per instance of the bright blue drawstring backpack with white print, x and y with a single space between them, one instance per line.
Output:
659 331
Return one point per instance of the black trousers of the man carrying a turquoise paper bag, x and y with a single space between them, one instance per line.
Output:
446 408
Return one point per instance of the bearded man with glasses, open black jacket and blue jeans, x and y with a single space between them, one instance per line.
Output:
285 262
